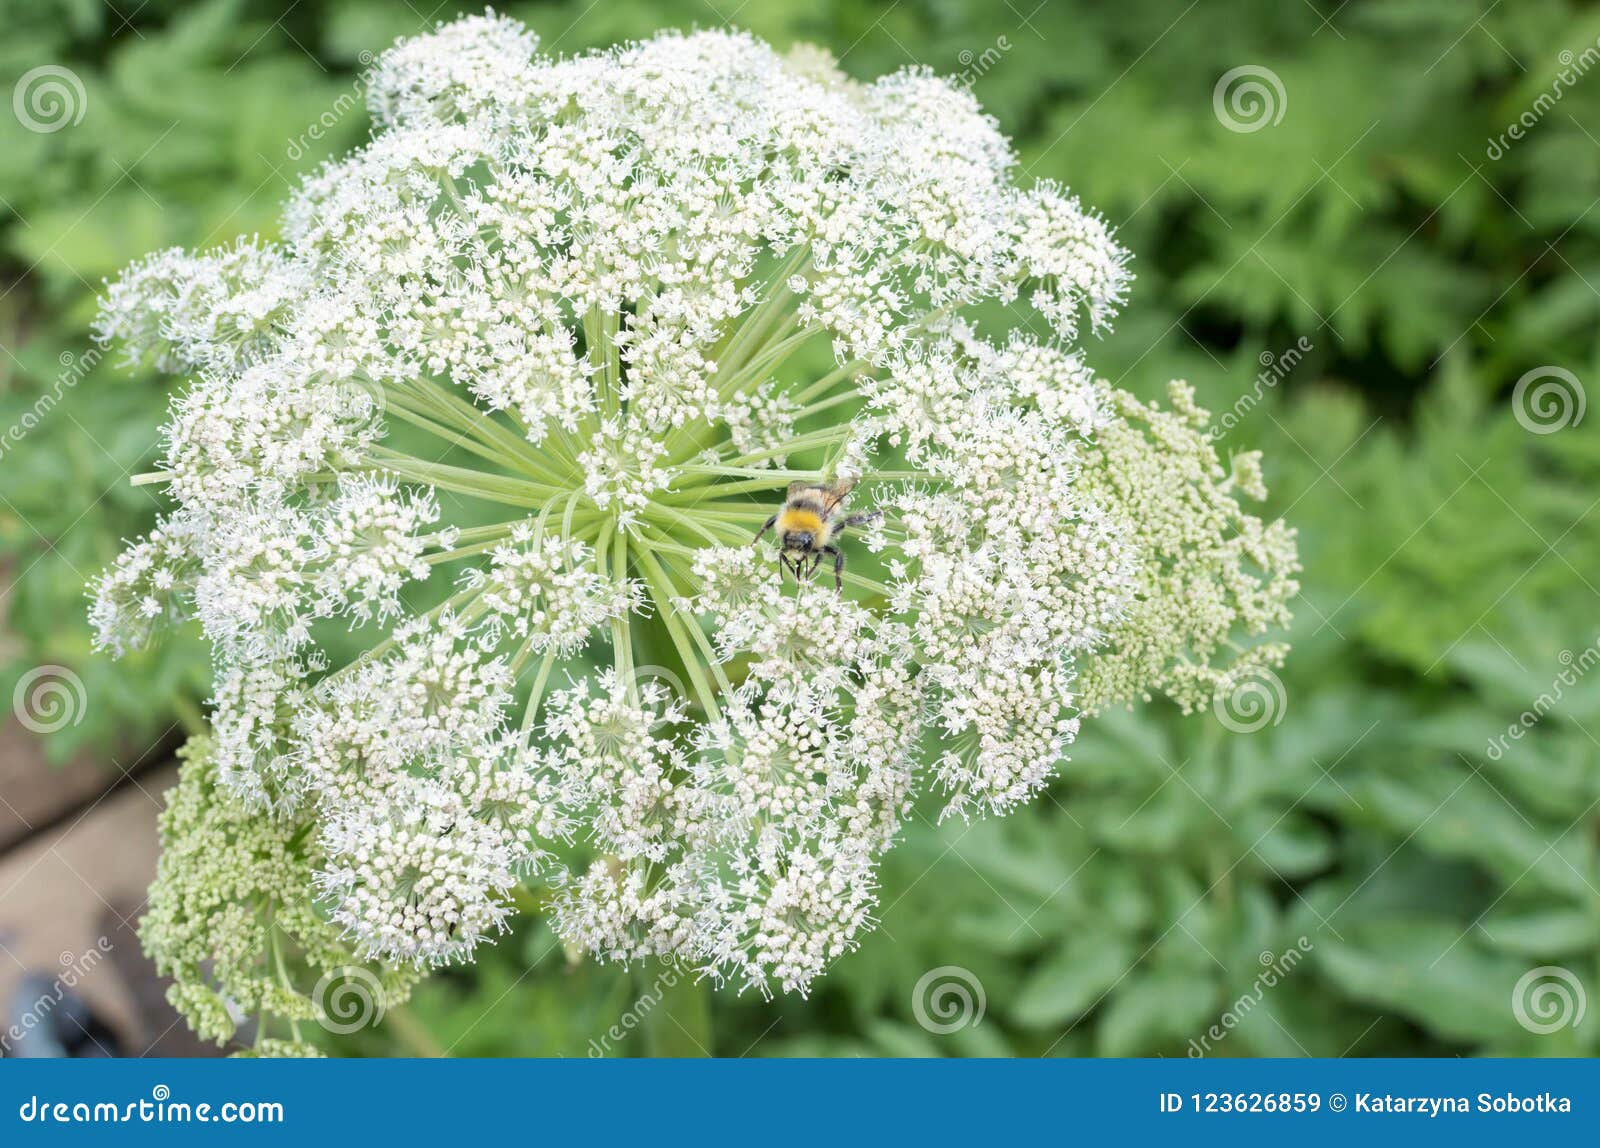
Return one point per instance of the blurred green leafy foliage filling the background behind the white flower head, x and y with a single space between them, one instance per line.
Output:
1428 858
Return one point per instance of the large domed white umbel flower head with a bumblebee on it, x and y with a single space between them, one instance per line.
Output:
468 472
